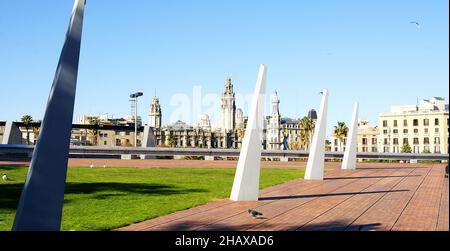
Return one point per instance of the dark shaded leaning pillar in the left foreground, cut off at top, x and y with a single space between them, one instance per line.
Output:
41 202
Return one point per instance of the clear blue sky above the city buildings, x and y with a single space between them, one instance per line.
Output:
361 50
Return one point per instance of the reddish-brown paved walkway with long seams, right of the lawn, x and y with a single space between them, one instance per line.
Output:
389 197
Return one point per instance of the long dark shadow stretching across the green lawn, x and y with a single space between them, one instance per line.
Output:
10 193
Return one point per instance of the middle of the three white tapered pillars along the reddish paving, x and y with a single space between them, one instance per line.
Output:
316 160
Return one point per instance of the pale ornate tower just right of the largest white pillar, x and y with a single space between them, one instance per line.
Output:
273 130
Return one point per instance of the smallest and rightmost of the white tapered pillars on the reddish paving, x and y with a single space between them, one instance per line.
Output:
349 161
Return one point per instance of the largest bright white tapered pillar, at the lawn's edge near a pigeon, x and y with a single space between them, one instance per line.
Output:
246 180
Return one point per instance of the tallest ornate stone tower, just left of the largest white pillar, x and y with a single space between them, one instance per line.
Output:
228 114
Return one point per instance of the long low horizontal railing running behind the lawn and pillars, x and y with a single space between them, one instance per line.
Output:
76 151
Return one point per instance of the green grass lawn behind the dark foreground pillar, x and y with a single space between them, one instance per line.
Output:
105 199
